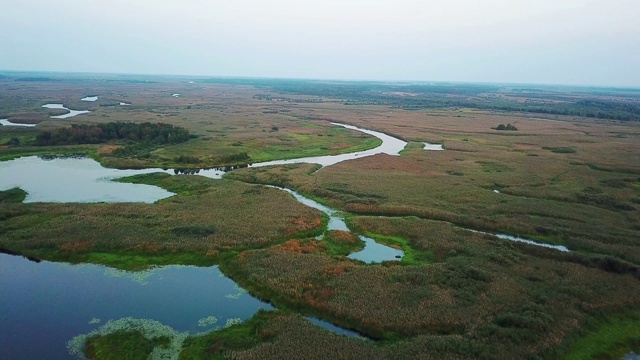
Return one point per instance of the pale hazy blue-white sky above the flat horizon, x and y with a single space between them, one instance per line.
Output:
578 42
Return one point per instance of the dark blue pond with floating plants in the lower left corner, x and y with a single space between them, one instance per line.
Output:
45 305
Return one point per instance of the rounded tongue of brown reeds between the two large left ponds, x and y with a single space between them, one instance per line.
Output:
207 219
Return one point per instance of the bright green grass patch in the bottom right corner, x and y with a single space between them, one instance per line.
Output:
611 339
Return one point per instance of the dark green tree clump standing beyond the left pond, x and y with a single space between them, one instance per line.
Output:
148 133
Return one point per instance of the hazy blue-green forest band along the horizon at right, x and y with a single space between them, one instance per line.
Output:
602 103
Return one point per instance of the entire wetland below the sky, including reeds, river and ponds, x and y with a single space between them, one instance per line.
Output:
375 244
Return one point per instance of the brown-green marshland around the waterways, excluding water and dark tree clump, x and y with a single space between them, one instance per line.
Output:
569 179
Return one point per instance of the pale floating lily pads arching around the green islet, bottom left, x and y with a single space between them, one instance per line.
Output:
150 329
